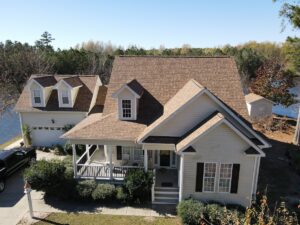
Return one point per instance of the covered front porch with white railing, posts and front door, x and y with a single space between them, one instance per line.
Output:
113 163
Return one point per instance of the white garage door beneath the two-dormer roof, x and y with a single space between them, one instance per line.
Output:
48 136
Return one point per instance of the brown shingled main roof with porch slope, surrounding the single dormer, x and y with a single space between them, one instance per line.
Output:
161 78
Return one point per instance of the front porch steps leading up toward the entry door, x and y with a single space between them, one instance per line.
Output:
166 195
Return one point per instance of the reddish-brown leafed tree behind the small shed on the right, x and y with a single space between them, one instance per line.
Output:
273 82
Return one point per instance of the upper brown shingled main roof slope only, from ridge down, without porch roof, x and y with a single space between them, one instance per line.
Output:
162 77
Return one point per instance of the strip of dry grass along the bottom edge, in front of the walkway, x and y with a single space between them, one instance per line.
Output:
101 219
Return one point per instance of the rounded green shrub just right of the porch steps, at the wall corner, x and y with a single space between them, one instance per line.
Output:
191 211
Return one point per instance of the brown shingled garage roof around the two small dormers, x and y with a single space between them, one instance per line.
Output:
82 103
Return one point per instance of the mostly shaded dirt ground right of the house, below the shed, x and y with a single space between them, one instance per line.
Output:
277 177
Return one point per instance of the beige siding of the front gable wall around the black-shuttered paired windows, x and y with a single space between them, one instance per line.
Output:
222 145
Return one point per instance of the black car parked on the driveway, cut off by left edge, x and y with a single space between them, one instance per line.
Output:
12 160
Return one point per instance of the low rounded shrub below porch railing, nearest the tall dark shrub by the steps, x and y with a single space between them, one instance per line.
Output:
104 192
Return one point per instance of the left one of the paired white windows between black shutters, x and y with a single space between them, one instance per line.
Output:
209 177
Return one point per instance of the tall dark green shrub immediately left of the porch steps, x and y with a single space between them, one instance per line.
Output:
137 184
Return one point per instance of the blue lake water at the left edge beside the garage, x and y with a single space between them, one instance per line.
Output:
9 125
